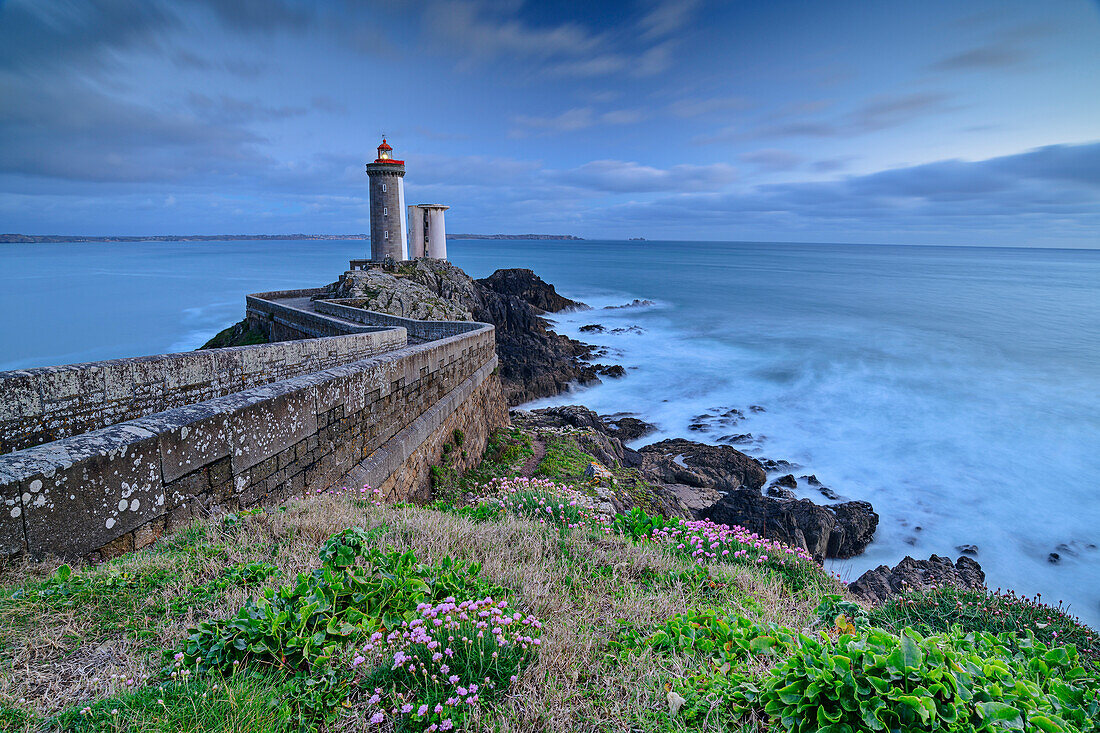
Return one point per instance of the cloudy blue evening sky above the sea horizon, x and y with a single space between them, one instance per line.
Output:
938 123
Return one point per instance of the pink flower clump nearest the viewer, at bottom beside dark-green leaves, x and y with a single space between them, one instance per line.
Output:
441 665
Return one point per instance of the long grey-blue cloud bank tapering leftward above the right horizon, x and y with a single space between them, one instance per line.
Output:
1053 189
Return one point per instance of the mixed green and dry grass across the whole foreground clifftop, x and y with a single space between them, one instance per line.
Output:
86 649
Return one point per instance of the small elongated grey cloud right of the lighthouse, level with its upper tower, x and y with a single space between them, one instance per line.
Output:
623 178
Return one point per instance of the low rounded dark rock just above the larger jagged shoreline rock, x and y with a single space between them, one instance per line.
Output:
718 467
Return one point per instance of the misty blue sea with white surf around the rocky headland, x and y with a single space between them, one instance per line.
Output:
956 389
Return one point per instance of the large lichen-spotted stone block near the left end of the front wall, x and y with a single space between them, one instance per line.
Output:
107 485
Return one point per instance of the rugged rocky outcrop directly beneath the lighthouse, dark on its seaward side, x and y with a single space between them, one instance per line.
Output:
535 362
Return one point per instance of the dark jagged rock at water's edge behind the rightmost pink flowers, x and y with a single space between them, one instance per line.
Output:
840 531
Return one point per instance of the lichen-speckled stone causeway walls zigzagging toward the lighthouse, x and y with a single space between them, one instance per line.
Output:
361 408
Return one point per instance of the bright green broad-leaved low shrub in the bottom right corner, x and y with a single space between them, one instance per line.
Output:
871 680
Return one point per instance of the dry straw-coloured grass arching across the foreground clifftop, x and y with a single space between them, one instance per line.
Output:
53 657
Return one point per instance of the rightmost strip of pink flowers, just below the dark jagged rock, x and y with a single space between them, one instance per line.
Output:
706 541
